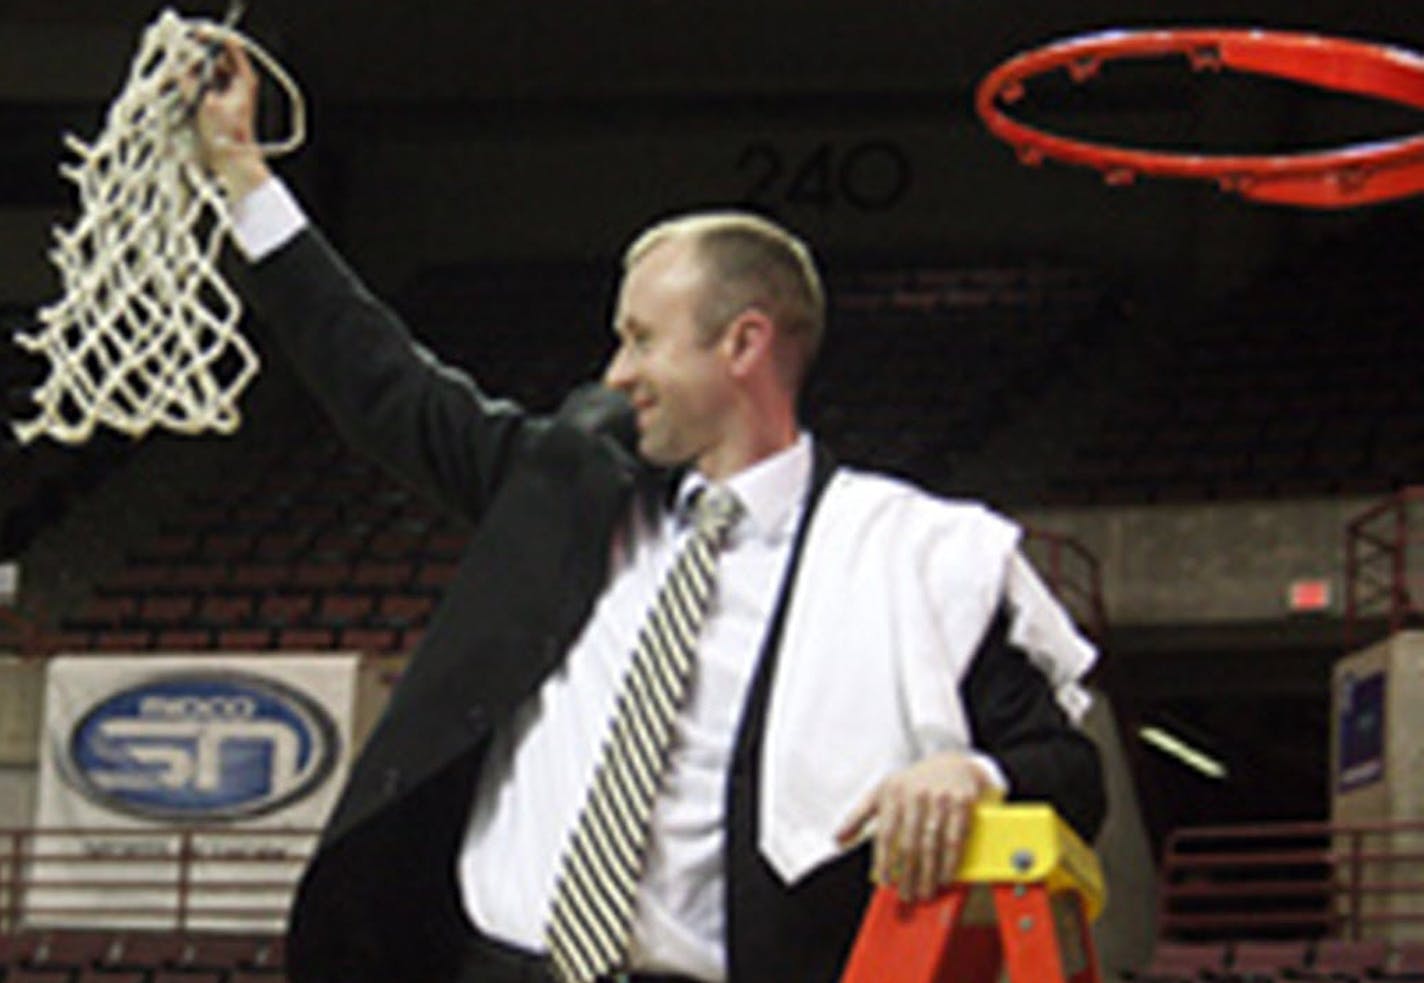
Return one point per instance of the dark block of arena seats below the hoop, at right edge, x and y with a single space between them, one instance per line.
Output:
1275 394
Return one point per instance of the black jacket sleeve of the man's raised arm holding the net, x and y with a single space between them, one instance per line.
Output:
426 422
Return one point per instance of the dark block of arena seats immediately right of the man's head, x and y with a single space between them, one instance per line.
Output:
921 365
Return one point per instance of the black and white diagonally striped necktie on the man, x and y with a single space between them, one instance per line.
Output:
592 914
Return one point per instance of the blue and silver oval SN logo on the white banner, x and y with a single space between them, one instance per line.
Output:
203 747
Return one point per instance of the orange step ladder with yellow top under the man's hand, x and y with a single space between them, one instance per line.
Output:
1026 893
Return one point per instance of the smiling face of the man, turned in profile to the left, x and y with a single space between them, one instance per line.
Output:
679 383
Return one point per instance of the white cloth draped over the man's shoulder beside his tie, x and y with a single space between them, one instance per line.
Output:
895 595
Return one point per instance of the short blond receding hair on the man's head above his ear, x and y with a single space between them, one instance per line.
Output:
751 263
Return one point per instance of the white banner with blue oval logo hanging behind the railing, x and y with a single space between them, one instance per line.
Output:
184 793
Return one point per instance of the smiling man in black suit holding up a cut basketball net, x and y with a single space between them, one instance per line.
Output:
871 662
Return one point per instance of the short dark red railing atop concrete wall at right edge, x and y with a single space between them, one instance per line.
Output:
1383 576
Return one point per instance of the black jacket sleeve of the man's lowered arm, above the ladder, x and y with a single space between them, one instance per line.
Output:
1016 720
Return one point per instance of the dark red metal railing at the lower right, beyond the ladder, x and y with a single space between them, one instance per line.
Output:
1305 880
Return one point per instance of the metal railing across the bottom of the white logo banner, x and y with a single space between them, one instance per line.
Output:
182 880
